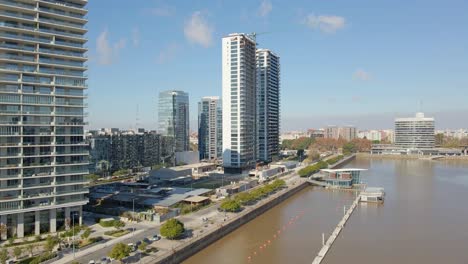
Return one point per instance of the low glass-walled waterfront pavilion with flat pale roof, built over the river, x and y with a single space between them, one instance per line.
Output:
342 178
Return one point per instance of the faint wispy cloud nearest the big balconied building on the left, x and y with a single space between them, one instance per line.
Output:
107 53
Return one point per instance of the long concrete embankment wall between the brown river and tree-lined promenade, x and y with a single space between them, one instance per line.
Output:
198 243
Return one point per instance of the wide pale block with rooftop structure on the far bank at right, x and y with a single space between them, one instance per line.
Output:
415 132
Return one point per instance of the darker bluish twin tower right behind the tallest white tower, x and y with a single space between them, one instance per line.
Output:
268 104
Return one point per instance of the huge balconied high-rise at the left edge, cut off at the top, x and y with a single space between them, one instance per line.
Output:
43 154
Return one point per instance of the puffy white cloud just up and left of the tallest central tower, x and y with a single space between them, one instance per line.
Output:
197 30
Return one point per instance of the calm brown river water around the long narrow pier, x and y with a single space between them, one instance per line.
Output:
424 220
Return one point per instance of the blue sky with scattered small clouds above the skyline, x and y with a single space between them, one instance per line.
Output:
360 62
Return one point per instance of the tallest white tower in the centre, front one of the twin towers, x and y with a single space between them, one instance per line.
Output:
239 102
